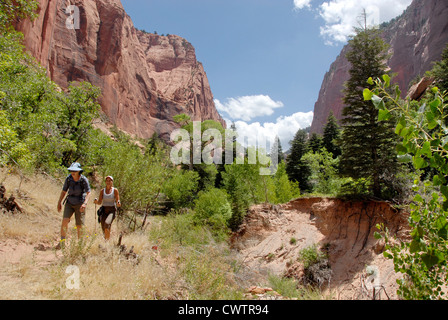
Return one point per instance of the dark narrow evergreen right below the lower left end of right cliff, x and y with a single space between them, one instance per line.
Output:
297 169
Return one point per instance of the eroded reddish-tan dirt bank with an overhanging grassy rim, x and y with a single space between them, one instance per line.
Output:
271 238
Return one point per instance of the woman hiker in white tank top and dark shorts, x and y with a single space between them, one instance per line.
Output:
110 199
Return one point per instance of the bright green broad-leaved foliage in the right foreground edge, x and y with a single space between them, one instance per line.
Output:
423 128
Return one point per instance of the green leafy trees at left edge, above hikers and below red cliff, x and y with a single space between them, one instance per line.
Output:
53 127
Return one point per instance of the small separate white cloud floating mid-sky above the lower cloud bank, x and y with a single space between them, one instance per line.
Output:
248 107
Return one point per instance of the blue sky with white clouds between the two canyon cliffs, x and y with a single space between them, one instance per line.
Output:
265 59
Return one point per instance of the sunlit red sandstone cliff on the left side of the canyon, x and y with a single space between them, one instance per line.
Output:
145 79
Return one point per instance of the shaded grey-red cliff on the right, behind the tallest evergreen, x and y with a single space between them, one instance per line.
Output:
417 38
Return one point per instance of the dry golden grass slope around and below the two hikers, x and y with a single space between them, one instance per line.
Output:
166 268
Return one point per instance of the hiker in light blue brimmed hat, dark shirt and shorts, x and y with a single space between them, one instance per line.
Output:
78 189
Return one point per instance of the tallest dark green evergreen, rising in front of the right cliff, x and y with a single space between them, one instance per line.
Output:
368 147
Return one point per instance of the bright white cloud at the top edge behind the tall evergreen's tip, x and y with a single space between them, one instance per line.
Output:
341 16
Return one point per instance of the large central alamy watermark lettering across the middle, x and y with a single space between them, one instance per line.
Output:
206 147
